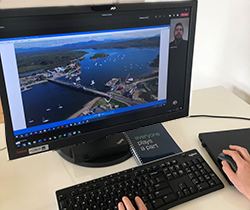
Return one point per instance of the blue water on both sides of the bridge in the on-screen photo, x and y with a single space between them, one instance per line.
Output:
50 96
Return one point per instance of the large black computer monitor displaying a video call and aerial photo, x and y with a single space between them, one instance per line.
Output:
71 76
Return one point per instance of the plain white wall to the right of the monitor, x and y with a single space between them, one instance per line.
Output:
222 46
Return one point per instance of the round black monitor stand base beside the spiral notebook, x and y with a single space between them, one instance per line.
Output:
108 151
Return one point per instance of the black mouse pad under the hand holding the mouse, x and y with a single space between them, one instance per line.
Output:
215 142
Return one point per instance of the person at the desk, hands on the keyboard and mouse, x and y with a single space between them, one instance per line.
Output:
240 178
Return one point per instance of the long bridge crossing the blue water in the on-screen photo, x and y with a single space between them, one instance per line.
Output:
79 87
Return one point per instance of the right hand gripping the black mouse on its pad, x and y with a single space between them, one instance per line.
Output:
240 178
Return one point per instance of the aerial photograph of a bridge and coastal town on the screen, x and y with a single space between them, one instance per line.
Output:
75 76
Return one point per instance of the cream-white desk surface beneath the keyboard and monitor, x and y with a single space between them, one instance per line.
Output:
30 183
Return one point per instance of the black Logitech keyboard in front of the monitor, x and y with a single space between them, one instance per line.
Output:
161 184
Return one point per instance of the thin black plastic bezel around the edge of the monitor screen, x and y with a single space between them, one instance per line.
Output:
102 132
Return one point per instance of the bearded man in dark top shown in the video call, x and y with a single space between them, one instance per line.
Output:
178 41
